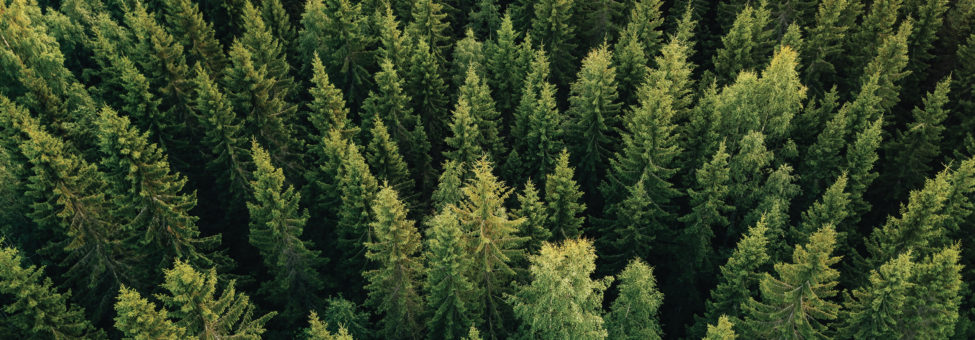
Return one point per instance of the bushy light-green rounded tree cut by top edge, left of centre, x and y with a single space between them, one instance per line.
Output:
337 32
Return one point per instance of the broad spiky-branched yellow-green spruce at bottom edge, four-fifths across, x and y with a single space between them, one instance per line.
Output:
797 305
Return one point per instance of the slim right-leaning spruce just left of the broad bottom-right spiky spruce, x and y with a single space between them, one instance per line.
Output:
738 280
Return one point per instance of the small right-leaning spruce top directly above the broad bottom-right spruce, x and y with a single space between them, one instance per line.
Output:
832 209
